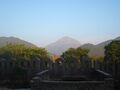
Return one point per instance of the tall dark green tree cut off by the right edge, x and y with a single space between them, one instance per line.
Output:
112 58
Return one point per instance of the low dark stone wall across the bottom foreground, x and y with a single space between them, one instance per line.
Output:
37 83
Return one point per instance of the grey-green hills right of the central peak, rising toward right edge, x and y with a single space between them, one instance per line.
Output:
98 50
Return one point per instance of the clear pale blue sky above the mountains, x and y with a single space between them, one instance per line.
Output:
44 21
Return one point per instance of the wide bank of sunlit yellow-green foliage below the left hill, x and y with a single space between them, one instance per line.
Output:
19 51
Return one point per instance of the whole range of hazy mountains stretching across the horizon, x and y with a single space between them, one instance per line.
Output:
62 45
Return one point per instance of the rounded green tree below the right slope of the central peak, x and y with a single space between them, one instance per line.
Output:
72 57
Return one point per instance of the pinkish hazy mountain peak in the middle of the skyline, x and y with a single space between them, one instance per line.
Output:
62 45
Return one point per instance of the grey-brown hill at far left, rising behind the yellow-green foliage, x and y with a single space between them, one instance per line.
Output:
14 40
